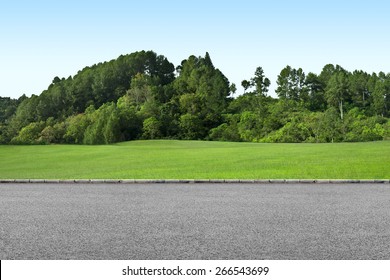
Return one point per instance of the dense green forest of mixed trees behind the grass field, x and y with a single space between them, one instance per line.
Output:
144 96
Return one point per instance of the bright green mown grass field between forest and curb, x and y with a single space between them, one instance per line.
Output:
165 159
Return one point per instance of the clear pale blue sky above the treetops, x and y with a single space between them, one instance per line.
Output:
40 40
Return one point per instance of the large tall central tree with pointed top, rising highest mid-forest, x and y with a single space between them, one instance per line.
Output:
202 91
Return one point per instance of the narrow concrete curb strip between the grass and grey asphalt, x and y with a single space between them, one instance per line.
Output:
192 181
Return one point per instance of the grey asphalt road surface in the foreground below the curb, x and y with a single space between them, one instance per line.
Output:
195 221
